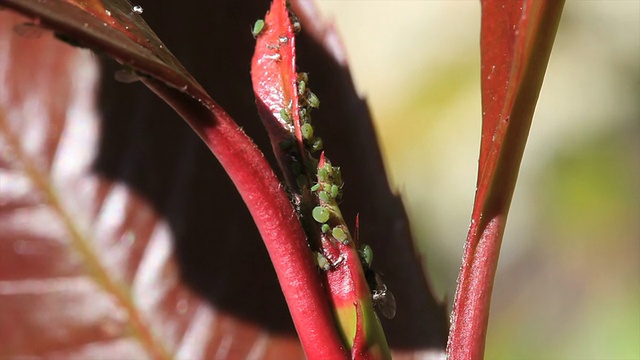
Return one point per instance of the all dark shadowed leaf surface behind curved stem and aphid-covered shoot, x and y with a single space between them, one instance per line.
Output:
146 145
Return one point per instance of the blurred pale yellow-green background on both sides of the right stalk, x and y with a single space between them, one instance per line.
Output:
568 283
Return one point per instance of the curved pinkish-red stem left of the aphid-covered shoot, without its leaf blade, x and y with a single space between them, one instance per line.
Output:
274 216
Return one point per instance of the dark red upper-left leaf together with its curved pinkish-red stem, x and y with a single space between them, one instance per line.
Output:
243 162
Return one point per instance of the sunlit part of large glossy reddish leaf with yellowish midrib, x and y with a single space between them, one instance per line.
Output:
87 265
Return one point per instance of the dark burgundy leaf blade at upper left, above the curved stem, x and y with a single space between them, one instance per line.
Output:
115 28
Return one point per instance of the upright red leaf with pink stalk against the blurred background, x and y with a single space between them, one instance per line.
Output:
516 41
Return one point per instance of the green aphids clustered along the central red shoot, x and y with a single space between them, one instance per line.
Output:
326 191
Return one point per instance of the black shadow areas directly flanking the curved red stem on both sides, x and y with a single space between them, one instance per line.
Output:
150 148
